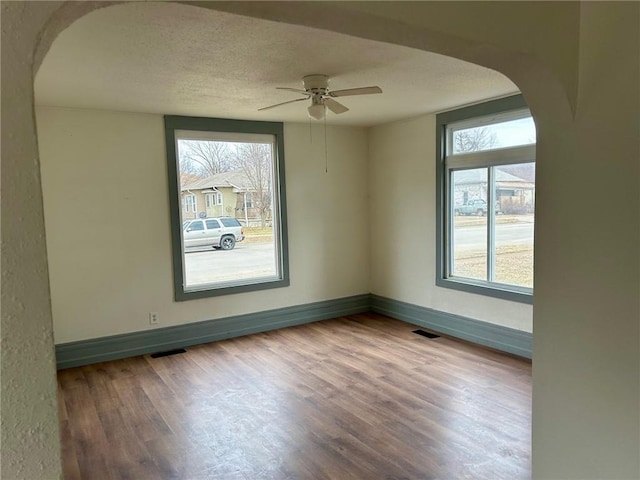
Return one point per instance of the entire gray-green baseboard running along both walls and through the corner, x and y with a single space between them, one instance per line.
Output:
85 352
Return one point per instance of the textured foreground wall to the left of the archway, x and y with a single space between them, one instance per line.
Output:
29 433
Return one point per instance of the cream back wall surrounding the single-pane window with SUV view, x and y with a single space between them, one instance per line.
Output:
104 181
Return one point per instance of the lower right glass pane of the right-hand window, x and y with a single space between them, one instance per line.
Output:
515 194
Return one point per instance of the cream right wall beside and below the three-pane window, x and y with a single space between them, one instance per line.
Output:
402 231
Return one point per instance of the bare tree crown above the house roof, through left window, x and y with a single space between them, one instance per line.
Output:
205 158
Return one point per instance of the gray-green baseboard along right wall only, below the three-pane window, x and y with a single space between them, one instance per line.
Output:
494 336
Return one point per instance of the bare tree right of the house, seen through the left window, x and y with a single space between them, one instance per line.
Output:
255 161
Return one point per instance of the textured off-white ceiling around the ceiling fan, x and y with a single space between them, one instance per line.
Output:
169 58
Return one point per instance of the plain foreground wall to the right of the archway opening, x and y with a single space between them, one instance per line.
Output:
586 368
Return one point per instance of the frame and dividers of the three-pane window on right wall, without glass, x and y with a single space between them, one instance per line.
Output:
501 109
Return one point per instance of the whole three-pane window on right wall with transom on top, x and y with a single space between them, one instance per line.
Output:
485 199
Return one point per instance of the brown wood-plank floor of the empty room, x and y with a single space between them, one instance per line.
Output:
359 397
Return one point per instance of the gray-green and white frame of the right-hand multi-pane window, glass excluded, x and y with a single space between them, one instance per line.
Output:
497 111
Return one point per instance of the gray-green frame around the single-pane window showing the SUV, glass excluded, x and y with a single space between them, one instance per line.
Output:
174 123
